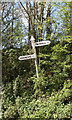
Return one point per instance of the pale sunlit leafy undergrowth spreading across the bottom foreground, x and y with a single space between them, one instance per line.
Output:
57 106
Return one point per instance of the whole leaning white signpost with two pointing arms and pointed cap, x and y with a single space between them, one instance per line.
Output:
34 44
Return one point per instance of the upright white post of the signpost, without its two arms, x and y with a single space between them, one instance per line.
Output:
34 50
